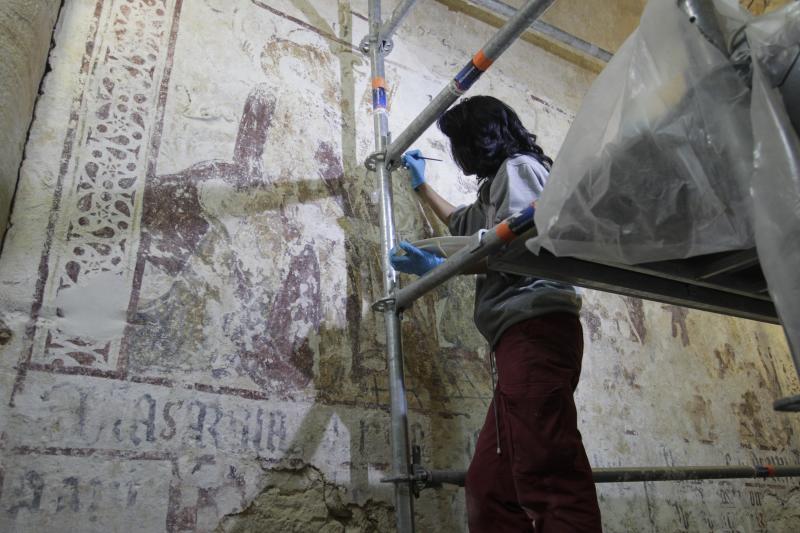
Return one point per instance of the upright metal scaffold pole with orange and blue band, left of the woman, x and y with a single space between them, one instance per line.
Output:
399 410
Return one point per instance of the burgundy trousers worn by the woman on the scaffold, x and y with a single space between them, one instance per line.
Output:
541 481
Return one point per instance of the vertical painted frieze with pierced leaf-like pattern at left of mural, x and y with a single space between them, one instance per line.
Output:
91 257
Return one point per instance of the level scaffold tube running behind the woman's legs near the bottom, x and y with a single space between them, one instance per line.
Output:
433 478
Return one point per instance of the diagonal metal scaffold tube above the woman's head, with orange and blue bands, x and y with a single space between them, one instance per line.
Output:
466 77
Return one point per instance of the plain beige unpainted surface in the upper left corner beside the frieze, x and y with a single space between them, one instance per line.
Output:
25 30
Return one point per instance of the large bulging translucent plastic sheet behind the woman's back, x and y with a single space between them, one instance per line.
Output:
657 165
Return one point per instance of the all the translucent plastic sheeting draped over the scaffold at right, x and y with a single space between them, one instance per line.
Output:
673 155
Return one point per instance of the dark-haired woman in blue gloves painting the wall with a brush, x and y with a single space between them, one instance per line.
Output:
530 468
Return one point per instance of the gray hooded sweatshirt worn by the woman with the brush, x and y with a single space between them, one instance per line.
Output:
502 300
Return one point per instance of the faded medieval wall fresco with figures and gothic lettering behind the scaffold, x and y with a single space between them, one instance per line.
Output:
186 340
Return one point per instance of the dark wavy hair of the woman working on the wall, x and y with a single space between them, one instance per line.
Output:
484 132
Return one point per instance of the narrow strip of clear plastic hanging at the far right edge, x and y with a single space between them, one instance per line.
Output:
774 43
